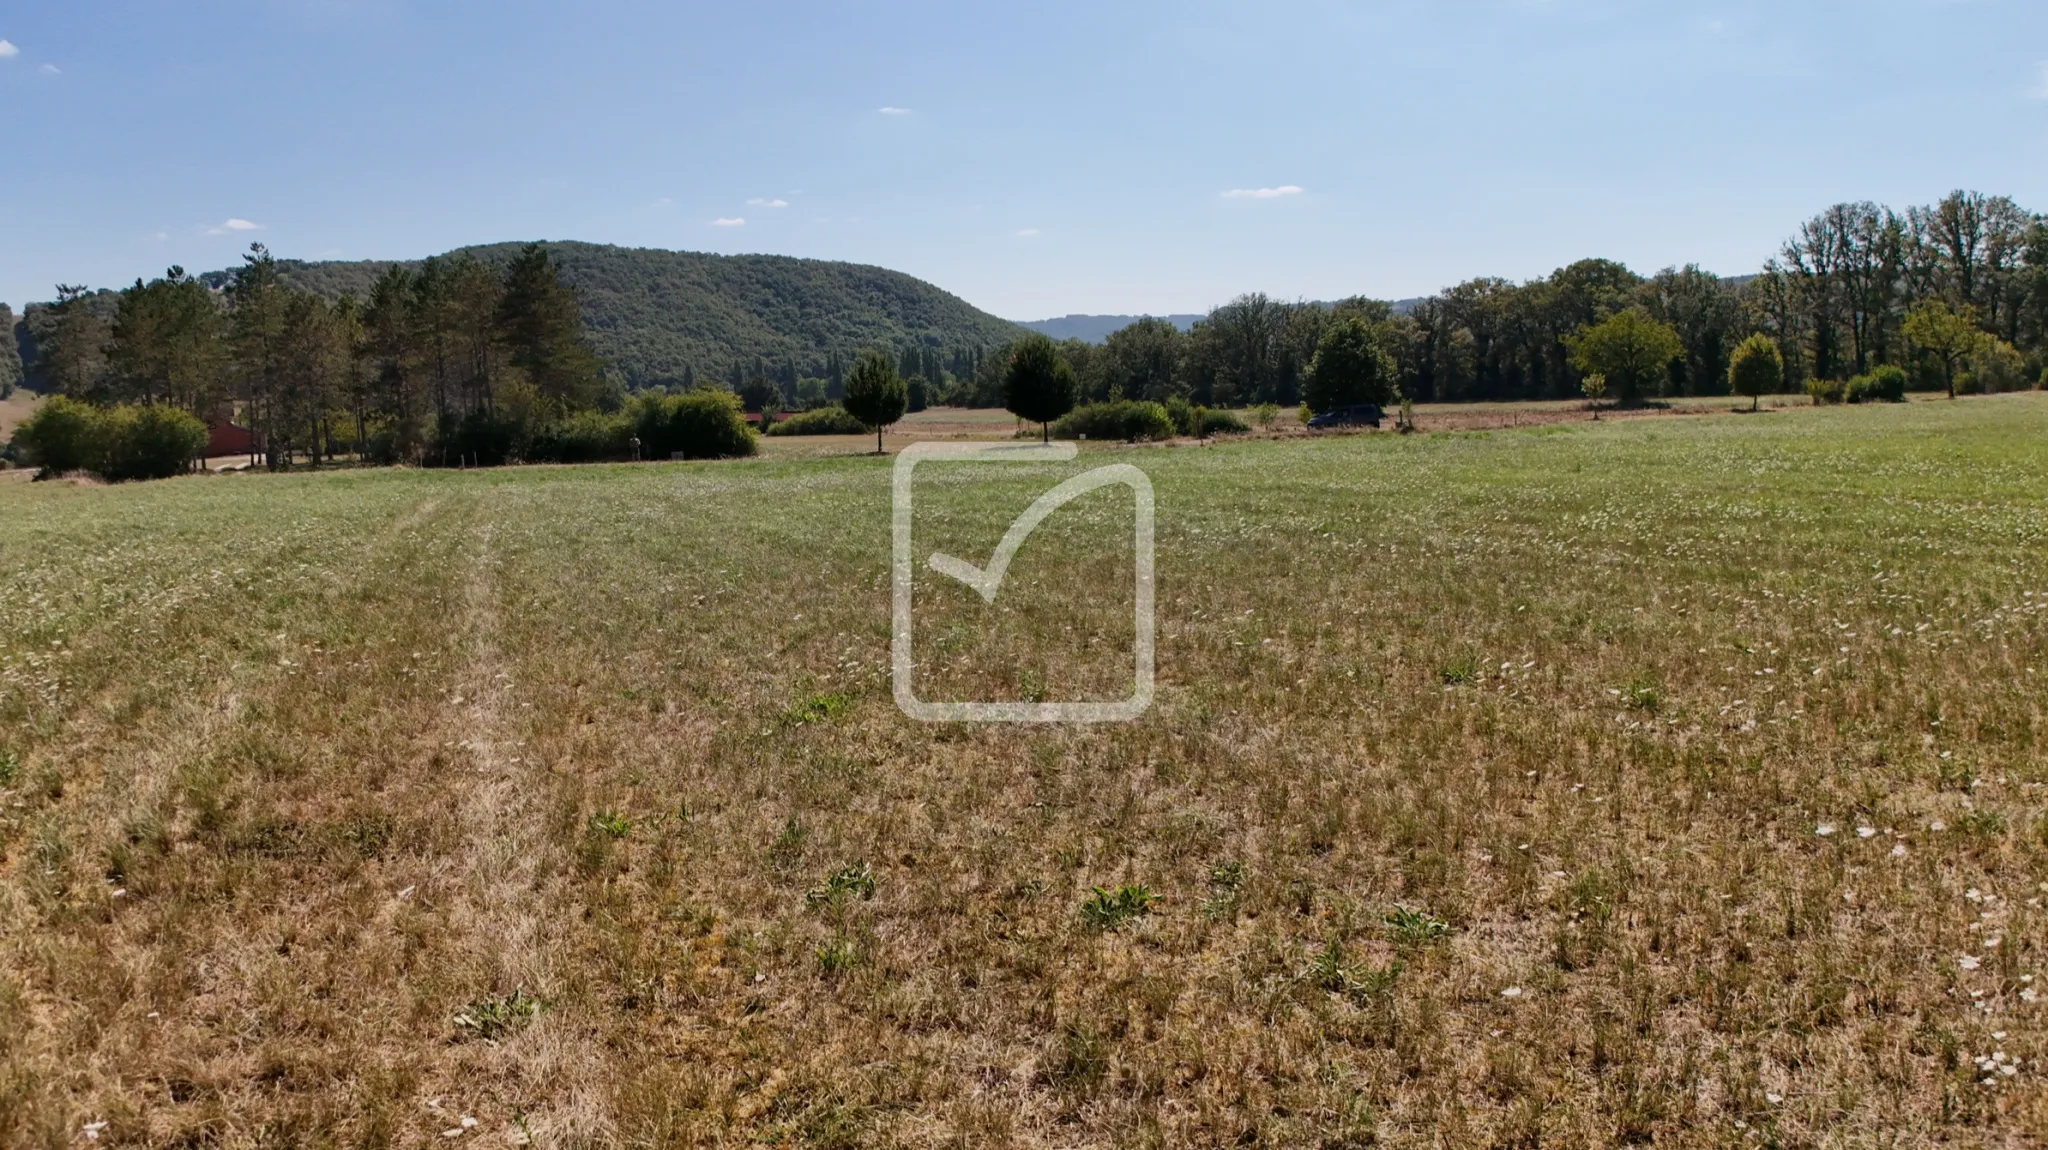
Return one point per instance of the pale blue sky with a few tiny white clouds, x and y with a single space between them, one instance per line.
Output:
1035 159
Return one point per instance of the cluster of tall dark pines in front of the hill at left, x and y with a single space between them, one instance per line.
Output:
437 365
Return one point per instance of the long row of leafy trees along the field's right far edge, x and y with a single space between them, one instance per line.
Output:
1955 294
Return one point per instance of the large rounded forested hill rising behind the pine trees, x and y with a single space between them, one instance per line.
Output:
654 312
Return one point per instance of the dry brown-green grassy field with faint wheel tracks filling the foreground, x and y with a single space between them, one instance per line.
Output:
1654 781
